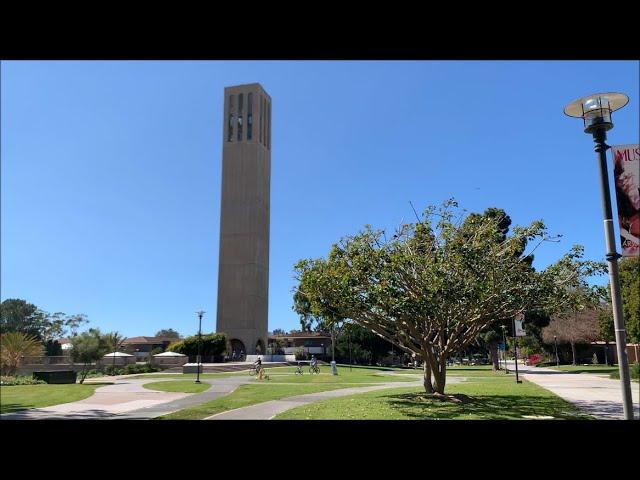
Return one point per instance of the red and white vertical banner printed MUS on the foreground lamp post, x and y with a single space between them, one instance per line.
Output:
626 171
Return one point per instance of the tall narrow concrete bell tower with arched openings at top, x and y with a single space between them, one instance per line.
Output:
243 275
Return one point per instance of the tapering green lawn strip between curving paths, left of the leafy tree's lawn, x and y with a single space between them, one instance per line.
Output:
243 396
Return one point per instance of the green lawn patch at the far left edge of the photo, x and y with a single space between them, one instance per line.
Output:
21 397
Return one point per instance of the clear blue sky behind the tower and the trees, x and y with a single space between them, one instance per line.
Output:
111 171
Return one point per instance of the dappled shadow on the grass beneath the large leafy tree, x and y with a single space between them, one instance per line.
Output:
494 407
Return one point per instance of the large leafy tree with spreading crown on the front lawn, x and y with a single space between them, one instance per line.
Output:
436 284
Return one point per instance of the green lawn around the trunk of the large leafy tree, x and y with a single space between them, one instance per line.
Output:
494 397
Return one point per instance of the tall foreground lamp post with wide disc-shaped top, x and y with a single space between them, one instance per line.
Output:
596 112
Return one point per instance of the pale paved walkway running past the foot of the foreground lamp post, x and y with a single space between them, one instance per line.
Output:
596 395
